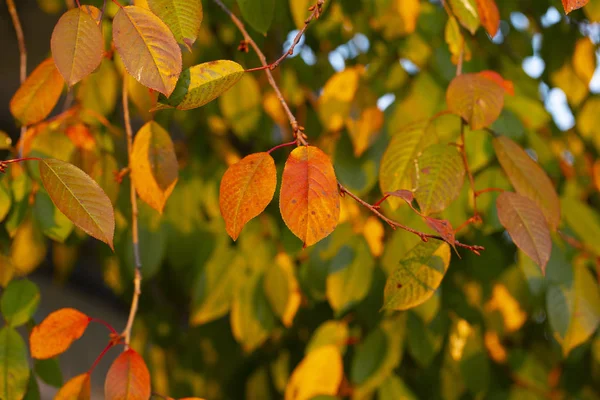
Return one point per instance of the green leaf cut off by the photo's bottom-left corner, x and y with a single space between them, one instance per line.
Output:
14 368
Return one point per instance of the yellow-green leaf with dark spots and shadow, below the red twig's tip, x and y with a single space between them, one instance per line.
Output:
418 276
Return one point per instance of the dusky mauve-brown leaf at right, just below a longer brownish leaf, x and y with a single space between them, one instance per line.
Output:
526 225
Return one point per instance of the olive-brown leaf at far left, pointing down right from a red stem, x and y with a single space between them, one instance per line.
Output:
80 198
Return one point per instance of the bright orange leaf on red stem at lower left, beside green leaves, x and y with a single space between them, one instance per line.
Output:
56 333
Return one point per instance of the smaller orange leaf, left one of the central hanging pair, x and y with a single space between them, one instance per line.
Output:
246 189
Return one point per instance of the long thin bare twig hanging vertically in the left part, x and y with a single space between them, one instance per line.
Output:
137 281
